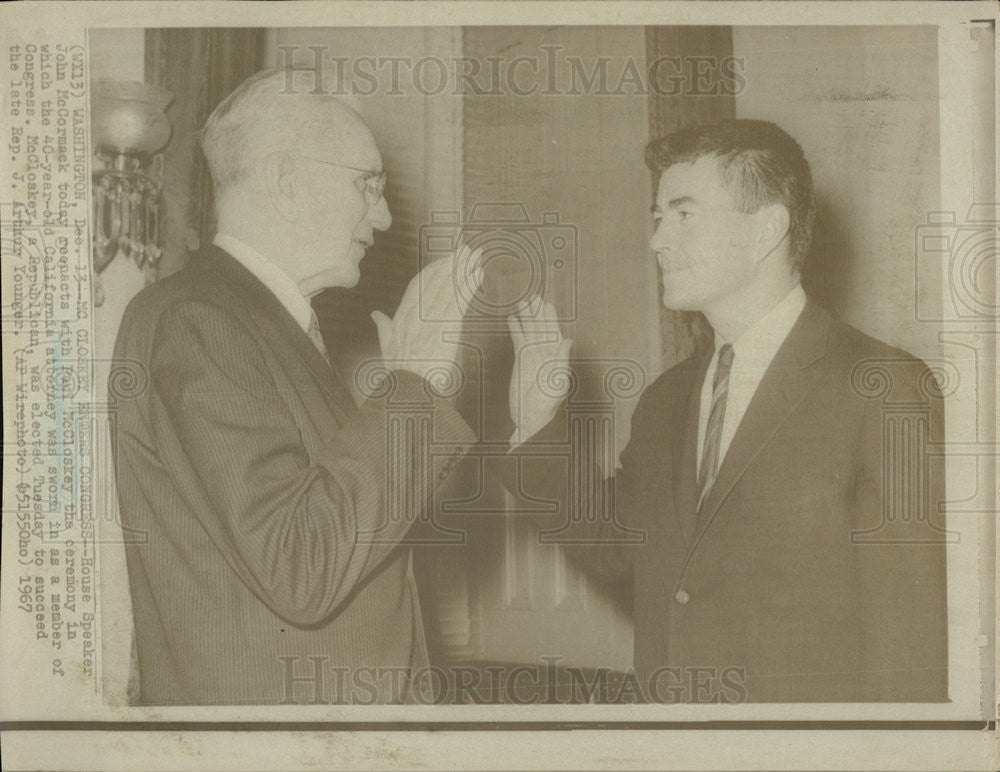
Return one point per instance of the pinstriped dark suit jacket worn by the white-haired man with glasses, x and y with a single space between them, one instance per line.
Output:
263 495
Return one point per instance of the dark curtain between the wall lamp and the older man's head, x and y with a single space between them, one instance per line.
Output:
199 67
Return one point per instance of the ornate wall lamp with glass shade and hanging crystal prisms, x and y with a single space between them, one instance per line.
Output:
128 128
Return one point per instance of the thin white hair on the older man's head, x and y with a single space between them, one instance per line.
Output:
271 111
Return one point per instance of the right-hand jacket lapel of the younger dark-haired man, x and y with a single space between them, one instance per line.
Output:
784 385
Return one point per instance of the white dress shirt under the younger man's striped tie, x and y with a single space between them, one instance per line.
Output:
753 353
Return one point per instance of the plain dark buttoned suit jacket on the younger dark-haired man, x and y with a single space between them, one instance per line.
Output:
790 575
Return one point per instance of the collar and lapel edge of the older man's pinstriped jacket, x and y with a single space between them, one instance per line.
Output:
269 310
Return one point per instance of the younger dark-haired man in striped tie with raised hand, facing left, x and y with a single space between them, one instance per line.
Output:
781 478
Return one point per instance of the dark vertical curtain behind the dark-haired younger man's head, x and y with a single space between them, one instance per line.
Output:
691 47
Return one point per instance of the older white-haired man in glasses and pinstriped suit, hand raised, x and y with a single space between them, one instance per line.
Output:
272 569
